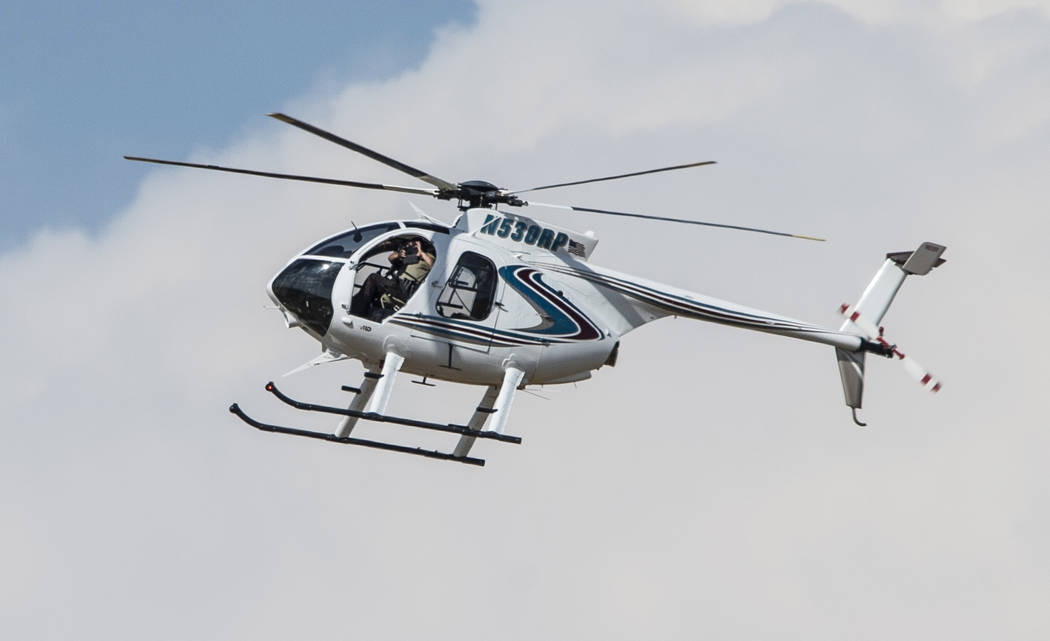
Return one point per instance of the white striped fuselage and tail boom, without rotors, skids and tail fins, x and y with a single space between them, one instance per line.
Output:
505 291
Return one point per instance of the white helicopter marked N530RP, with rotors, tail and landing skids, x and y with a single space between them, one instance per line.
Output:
505 301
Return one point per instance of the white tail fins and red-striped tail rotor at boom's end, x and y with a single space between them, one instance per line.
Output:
865 319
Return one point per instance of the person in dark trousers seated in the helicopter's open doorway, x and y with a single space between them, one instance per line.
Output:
410 264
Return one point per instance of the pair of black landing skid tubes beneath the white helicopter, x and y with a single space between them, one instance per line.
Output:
465 431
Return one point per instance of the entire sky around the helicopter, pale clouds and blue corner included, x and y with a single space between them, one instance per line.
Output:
711 484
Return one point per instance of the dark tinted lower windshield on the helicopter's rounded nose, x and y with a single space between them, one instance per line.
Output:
305 291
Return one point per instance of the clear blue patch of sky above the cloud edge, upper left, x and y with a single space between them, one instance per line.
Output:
86 84
